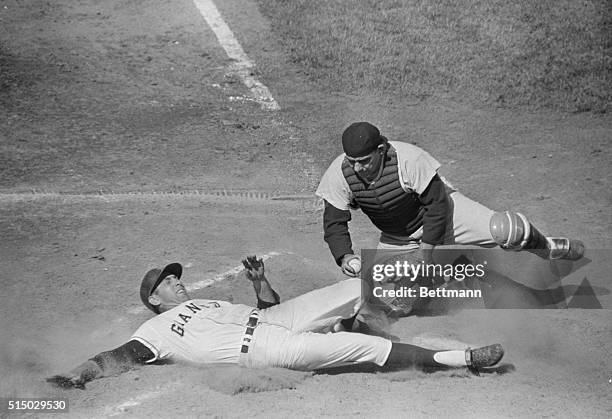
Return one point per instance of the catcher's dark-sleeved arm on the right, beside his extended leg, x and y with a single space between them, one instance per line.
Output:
435 201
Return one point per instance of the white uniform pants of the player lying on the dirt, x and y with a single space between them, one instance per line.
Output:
295 334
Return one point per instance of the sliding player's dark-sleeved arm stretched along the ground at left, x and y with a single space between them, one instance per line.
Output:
107 363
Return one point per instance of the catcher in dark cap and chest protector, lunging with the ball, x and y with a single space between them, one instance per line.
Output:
397 186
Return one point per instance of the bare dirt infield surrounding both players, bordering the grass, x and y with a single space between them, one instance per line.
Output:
122 150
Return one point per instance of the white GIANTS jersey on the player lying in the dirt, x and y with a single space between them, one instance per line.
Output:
202 331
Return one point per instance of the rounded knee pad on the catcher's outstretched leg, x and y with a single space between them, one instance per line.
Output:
511 230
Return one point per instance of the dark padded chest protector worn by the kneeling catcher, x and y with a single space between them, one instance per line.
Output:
385 202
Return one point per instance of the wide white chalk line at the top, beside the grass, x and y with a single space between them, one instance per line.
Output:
243 67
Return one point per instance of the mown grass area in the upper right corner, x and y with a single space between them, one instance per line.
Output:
517 53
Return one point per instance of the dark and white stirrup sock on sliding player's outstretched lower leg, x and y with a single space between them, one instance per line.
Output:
405 355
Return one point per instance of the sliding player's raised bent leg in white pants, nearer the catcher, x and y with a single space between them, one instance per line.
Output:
319 310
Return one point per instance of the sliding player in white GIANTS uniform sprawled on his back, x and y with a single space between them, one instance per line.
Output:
295 334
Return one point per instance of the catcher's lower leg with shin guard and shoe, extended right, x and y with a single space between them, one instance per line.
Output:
512 230
